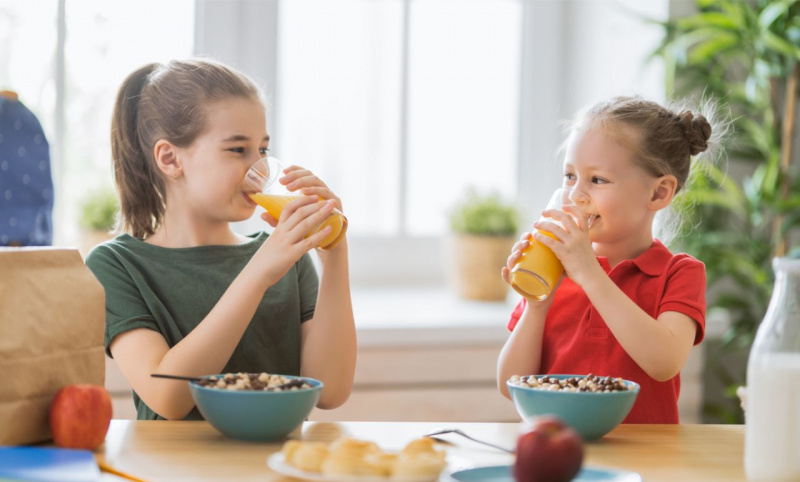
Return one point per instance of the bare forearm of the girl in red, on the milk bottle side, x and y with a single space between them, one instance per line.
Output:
652 344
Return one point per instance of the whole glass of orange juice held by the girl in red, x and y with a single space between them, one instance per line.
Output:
538 270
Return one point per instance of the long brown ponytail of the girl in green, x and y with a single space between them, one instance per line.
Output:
140 188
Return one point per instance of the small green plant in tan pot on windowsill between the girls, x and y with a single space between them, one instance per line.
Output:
483 228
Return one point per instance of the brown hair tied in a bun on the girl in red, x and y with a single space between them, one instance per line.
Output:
663 140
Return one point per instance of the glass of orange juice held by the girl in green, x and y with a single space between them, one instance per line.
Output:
262 186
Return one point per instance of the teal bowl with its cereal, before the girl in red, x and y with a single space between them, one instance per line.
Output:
591 405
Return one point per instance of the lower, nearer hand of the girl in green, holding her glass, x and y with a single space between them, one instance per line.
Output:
288 242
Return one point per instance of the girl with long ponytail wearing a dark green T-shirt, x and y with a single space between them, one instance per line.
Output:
185 295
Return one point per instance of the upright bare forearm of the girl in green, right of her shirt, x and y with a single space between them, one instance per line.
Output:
329 339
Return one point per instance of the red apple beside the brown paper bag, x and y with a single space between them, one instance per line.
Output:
80 416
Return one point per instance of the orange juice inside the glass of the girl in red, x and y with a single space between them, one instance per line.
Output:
537 272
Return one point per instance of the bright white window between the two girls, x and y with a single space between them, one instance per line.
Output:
400 106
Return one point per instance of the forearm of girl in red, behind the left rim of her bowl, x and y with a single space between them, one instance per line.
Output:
522 353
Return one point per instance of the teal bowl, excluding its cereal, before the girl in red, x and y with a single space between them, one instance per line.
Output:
591 414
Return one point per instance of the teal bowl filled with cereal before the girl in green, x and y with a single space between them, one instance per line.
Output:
255 406
